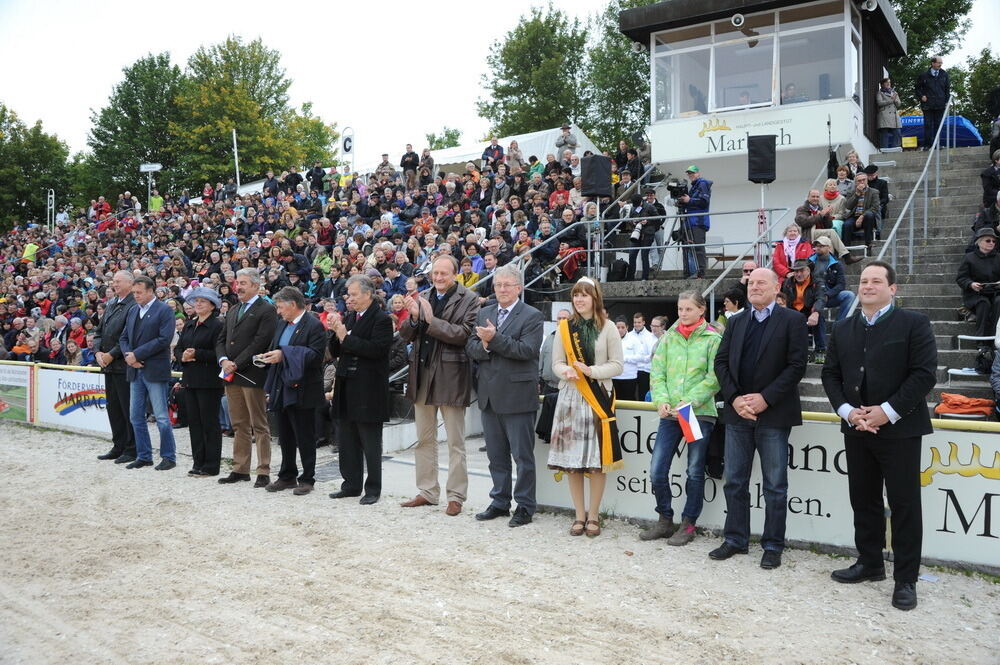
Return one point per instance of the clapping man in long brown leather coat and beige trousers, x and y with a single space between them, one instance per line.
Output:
441 321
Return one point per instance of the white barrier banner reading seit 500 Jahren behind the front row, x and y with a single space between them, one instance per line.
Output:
959 478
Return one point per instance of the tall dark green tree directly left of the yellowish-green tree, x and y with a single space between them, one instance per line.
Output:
132 128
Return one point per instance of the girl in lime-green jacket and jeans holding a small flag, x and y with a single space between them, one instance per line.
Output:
683 374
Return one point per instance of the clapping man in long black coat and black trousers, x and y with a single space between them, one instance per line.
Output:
361 389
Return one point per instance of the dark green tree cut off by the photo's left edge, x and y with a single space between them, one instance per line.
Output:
31 162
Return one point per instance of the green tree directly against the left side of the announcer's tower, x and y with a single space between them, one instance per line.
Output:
618 79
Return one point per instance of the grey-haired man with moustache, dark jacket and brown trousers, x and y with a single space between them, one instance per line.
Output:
248 332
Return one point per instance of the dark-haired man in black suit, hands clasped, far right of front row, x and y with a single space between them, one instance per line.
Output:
880 366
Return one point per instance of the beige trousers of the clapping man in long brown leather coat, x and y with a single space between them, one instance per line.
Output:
426 452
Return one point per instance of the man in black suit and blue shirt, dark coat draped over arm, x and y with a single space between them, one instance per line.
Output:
294 388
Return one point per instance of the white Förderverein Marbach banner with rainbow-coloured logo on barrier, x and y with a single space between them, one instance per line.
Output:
68 398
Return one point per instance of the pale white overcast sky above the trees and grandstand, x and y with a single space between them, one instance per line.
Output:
393 70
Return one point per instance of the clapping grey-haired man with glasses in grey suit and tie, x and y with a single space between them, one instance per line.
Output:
506 343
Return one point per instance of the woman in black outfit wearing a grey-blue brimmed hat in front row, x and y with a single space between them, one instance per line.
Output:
202 394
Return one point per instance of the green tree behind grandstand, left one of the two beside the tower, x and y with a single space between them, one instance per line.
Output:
536 75
